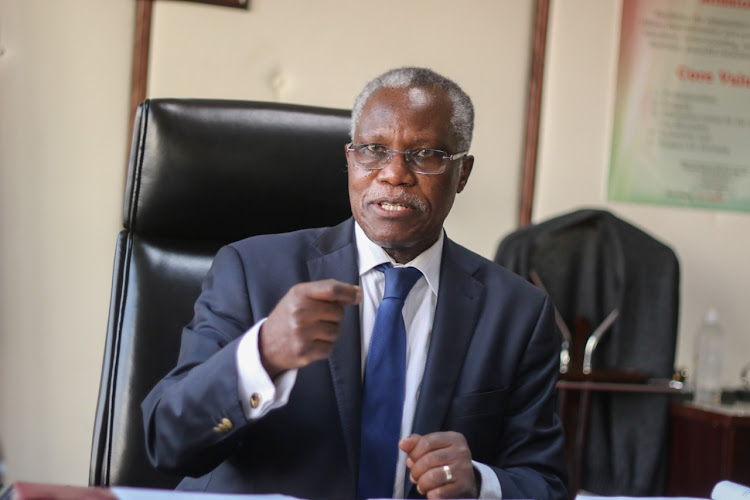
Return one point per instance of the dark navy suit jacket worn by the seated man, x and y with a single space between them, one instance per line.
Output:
490 375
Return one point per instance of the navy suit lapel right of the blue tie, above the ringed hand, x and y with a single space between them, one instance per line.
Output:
456 315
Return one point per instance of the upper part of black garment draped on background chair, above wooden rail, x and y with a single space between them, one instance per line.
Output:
592 262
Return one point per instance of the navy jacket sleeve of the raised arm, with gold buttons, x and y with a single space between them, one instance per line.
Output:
193 417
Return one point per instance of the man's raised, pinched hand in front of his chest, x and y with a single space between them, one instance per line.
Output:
305 324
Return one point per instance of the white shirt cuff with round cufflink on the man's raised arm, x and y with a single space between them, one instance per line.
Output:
257 392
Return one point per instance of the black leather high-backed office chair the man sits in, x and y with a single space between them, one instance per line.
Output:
202 173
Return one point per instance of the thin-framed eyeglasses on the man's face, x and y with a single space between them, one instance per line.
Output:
421 161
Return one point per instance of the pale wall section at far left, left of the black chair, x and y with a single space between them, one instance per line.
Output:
64 89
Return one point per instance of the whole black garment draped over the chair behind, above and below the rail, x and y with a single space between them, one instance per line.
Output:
592 262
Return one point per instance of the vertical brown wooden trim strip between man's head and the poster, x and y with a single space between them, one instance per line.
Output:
533 112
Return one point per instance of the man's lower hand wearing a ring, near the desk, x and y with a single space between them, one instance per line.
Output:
428 456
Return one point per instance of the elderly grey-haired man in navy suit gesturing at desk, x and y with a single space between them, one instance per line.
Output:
376 358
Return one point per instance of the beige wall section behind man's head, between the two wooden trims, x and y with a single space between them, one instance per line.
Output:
205 51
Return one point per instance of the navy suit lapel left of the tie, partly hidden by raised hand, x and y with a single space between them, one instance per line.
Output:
338 260
